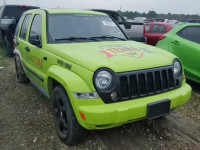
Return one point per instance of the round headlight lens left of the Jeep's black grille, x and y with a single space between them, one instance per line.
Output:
103 80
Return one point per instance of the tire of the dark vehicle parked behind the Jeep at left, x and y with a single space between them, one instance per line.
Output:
8 48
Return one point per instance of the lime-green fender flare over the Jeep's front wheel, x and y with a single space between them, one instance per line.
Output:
71 82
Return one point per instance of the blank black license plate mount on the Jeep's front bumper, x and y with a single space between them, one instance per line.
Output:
158 109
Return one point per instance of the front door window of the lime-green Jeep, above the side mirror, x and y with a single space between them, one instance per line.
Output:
36 28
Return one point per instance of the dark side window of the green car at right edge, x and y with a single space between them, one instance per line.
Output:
191 34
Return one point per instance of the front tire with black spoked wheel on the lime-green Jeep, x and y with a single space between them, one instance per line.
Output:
67 127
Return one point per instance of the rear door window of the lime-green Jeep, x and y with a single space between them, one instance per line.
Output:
25 26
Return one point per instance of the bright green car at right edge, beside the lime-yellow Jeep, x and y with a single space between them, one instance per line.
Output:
184 42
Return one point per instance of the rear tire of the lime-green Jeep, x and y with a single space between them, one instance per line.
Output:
21 76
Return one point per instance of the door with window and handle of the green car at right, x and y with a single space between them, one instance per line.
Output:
186 45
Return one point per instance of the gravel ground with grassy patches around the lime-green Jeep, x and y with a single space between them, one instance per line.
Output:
26 123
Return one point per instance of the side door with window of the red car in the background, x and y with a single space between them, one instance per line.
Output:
155 33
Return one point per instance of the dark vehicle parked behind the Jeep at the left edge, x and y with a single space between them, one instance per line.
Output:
9 17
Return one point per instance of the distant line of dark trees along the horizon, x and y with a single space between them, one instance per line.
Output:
153 14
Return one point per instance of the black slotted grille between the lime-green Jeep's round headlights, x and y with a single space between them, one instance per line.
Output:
147 82
